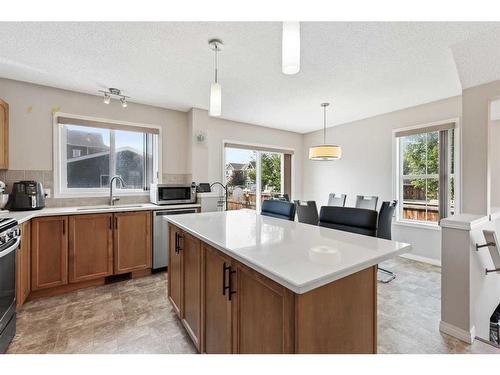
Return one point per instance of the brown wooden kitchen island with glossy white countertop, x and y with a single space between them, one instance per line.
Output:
246 283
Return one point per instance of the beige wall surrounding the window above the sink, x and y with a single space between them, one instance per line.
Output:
31 109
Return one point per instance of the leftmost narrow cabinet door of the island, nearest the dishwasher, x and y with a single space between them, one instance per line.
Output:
175 270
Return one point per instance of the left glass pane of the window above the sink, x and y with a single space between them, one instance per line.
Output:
87 156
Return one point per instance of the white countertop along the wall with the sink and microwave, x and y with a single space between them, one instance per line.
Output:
22 216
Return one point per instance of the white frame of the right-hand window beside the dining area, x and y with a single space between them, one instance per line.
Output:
397 173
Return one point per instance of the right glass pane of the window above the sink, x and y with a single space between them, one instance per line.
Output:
130 161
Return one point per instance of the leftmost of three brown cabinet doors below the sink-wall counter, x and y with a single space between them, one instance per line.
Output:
49 252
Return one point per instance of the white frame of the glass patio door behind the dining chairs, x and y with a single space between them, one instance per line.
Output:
258 182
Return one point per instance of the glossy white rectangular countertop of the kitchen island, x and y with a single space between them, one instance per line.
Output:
299 256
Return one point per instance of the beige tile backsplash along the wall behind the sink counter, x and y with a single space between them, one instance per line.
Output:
47 179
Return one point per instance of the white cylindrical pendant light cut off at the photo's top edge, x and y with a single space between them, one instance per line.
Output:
290 48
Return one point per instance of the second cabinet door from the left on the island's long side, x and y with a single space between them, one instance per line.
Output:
190 248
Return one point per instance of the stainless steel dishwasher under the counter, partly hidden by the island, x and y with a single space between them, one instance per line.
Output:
160 235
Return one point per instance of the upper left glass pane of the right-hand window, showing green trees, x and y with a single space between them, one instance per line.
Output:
414 149
